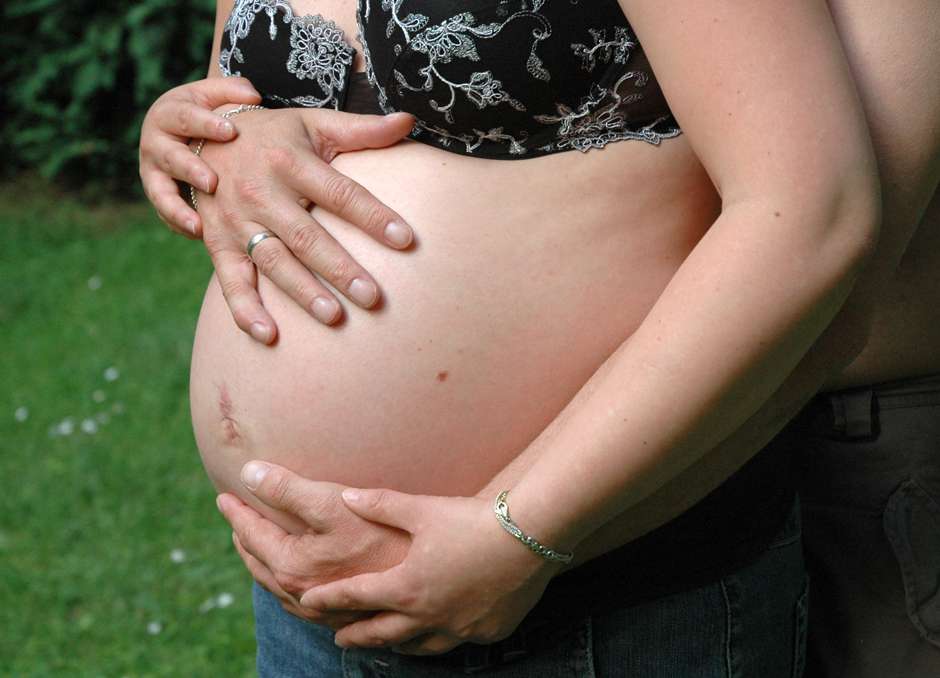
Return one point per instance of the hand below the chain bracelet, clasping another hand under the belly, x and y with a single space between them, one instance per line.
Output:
464 578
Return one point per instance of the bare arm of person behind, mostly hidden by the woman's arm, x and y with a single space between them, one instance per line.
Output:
886 46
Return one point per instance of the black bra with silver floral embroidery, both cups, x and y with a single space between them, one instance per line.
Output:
492 78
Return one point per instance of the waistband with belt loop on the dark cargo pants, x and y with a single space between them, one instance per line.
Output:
854 413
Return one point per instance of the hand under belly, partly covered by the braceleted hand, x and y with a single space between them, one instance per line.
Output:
332 542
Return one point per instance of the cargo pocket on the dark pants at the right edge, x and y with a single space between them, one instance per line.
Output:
912 525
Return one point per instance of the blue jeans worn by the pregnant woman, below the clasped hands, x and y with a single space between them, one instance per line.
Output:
749 623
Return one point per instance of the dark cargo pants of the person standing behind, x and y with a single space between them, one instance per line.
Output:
870 489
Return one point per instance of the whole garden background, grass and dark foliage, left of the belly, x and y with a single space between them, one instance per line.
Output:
113 559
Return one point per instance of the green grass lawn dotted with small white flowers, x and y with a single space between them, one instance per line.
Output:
113 558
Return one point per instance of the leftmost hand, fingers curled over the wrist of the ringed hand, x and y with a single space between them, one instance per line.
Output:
182 113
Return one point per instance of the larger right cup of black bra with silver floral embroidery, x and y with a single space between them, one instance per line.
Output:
437 59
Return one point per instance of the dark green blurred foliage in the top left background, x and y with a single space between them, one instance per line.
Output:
78 75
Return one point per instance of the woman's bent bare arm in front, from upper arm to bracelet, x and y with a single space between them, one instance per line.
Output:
799 217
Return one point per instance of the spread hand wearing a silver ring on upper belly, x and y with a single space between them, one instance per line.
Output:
268 176
